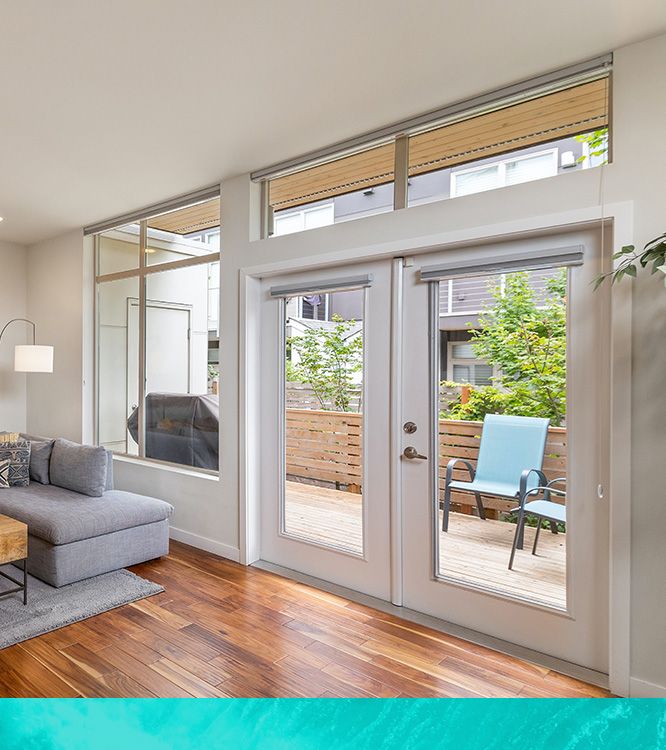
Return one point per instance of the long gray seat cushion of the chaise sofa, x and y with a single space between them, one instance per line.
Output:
61 516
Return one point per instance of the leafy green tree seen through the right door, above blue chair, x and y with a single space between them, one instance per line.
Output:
525 339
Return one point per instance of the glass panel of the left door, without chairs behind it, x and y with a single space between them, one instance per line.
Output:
323 460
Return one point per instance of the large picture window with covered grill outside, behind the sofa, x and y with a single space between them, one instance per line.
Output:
157 374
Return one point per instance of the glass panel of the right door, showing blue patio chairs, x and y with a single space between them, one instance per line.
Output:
509 360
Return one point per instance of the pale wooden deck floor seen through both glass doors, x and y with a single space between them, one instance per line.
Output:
473 552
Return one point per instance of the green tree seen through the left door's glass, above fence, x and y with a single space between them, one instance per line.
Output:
329 358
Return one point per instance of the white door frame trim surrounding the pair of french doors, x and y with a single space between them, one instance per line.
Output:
622 217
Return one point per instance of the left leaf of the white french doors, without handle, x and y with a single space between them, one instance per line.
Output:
325 360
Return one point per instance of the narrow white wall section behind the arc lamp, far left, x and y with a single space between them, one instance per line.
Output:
13 304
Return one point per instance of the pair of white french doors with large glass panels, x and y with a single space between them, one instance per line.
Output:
375 376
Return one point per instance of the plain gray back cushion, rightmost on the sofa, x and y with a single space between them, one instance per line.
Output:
81 468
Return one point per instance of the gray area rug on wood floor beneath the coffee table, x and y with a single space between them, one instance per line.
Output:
49 608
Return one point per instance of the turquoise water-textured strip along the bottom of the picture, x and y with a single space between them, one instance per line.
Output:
359 724
